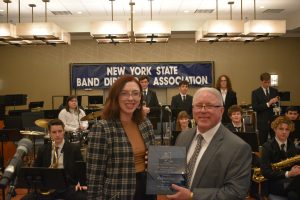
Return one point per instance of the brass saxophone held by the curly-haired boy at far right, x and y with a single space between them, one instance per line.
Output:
257 173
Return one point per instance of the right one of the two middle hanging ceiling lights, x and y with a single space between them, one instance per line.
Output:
152 31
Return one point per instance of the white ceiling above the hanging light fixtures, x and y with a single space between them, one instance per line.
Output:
180 13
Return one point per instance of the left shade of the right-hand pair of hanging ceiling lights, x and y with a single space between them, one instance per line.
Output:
220 30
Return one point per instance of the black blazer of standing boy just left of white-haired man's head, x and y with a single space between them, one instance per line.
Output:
177 105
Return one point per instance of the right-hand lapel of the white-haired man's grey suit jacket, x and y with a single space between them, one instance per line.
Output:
208 154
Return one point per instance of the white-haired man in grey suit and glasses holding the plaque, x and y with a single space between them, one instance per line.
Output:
222 167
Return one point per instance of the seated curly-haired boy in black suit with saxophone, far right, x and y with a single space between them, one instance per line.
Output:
285 180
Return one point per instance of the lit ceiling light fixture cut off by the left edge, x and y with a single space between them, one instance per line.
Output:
7 30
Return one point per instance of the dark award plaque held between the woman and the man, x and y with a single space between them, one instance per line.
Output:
166 165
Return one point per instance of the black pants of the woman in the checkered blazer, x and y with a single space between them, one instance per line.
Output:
140 191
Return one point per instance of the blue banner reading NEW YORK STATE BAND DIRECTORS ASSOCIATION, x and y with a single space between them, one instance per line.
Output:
162 75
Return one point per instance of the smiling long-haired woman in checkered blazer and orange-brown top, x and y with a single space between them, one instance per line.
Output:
118 145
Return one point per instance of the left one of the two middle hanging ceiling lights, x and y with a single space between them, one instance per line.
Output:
110 31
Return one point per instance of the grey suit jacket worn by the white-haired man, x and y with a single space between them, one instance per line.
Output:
224 169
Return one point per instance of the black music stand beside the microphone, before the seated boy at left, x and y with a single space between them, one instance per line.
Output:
41 178
